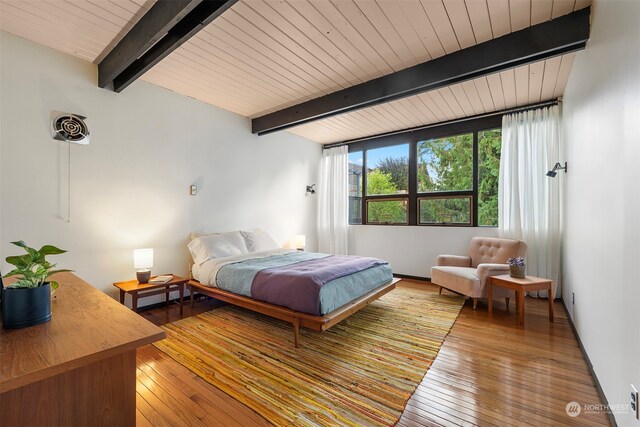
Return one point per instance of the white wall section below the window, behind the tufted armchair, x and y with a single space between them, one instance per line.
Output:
412 250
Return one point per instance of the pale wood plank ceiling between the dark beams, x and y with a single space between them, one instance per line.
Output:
264 55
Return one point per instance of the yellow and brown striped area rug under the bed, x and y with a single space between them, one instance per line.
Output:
361 372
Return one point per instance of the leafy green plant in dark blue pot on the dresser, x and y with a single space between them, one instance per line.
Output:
27 302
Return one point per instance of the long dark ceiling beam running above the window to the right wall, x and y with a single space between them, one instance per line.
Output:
552 38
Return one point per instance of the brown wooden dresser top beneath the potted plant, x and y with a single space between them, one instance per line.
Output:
86 326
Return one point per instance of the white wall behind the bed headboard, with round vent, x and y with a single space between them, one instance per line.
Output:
130 186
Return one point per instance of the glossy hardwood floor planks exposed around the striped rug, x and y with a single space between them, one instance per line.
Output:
487 373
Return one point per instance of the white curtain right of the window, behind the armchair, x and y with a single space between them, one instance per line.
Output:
529 202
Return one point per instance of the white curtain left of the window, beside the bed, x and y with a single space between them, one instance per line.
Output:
333 213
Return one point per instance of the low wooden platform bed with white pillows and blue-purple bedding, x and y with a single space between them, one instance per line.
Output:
311 290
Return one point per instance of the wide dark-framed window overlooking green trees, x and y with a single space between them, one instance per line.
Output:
446 175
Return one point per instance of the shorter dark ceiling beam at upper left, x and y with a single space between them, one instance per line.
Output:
164 28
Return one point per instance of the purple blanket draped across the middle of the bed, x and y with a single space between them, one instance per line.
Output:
298 285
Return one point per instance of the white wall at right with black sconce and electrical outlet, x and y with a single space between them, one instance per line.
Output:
602 234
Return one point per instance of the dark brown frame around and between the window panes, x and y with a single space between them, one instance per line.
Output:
412 137
